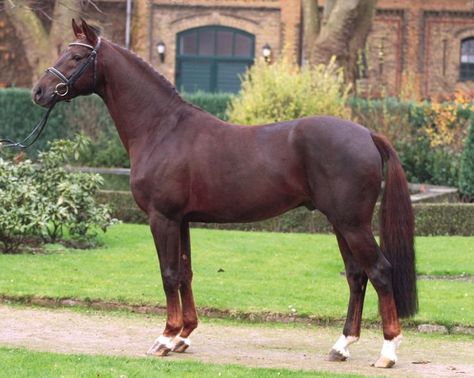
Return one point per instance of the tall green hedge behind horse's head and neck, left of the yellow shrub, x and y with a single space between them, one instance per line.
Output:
19 115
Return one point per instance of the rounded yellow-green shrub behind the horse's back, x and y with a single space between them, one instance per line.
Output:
282 91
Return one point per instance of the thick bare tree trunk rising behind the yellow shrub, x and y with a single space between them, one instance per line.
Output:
342 32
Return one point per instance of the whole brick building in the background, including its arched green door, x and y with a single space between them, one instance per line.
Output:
428 45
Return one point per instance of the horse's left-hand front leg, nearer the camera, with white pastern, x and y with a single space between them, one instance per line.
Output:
166 234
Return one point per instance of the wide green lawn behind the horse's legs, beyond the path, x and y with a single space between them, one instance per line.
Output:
262 272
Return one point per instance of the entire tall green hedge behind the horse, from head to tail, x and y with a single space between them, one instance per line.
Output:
422 163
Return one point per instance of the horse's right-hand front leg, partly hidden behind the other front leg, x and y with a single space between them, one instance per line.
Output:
190 319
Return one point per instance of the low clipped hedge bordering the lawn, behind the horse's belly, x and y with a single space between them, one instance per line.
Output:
431 218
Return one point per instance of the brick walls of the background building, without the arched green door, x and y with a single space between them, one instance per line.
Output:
415 40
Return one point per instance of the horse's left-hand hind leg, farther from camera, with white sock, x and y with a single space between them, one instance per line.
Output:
357 280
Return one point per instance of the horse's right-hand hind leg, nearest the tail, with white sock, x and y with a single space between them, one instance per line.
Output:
368 256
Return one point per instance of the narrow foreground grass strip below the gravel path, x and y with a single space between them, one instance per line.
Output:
24 363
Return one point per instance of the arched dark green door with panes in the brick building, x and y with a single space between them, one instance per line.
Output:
212 58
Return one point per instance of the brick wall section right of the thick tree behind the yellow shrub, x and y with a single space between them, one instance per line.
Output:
429 35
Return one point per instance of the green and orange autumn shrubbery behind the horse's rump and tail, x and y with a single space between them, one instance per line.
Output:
427 135
